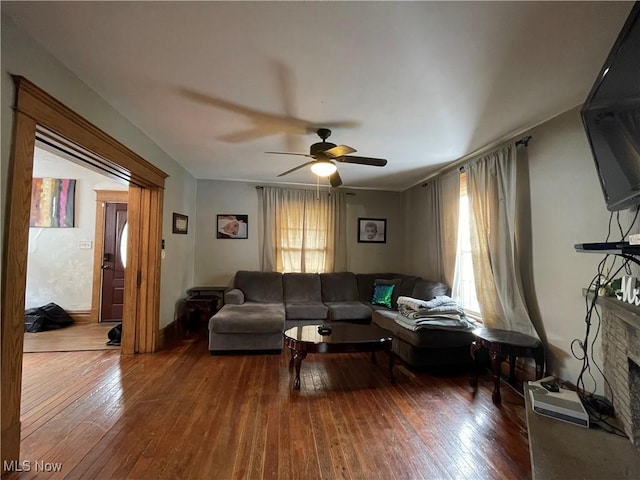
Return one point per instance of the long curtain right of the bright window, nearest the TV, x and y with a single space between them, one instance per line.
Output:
491 182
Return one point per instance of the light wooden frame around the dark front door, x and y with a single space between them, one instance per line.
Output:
102 197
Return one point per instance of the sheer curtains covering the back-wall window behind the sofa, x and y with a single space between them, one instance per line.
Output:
303 231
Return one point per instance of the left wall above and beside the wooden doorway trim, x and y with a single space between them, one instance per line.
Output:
22 56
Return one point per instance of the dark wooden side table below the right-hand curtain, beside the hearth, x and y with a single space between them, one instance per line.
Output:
502 344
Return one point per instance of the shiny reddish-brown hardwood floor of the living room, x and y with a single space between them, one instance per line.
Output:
184 414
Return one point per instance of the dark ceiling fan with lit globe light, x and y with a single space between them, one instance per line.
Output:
325 154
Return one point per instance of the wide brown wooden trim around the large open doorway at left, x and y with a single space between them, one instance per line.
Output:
34 110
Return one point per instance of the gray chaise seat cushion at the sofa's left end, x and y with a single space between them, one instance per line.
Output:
249 317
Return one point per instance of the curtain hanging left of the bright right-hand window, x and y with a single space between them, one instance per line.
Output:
443 197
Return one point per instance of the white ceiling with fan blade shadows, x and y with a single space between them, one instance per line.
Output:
216 84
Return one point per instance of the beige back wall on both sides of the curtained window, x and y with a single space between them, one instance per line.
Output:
217 260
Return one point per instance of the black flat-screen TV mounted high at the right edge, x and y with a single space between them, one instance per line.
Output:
611 117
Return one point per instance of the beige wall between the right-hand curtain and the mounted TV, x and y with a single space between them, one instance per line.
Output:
567 207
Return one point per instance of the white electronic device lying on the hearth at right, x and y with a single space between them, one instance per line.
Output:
562 405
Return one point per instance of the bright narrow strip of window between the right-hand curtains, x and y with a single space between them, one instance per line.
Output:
464 288
